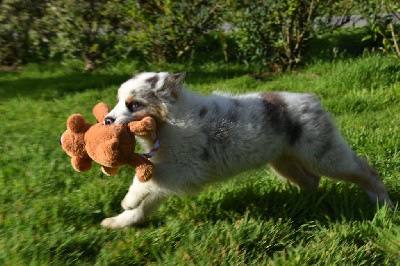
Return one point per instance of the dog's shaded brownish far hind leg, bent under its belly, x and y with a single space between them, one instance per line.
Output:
294 170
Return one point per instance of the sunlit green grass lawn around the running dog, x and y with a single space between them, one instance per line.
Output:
50 214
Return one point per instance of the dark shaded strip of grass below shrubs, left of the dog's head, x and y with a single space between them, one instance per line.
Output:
51 87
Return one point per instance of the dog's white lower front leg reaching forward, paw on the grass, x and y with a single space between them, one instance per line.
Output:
137 215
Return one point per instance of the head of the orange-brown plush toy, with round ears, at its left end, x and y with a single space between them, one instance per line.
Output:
73 142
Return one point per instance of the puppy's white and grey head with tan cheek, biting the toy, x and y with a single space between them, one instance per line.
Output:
146 94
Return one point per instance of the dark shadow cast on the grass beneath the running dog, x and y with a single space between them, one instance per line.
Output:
327 204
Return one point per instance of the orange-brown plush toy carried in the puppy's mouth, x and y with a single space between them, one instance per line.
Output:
109 145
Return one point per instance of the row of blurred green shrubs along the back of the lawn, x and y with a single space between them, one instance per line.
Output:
271 34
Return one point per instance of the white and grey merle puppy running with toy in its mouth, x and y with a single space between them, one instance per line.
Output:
206 139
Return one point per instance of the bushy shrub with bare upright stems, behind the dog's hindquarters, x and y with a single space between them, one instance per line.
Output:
274 31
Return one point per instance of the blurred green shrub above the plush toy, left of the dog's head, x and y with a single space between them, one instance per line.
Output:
84 29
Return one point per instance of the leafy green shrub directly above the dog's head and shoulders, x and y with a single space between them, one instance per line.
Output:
169 30
